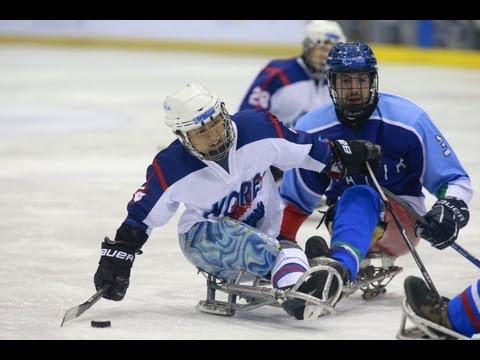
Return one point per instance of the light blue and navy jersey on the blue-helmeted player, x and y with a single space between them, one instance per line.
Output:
415 155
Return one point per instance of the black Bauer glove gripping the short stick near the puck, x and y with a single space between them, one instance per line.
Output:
114 269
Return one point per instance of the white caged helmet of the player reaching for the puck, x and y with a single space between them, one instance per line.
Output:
192 107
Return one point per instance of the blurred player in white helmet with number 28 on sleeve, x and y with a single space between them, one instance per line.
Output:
289 88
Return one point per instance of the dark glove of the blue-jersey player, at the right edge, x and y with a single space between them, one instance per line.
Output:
444 220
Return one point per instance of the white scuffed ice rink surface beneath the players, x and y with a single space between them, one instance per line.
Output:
78 128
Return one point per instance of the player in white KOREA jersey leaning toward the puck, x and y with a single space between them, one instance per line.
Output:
232 206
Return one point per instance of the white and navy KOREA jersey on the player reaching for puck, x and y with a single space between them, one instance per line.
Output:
246 192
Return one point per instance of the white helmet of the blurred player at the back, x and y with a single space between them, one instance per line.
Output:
320 32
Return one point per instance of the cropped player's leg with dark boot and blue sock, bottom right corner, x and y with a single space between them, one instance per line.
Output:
460 314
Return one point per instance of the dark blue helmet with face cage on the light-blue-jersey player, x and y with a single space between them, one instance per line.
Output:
353 104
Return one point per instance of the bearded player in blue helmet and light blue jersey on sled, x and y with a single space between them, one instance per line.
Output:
415 155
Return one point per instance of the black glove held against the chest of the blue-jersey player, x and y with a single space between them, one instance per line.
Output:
349 158
